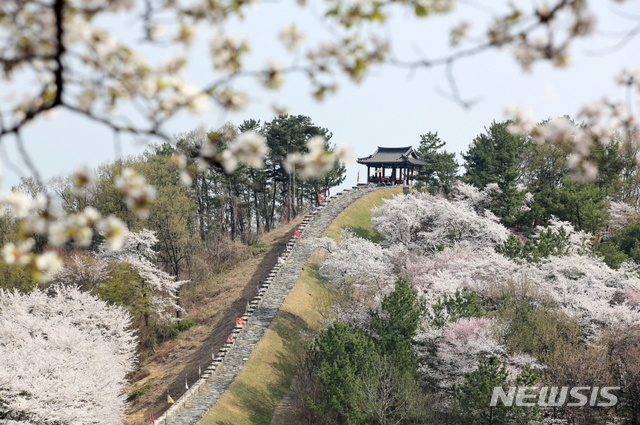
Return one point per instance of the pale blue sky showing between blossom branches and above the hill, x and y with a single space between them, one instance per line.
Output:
391 107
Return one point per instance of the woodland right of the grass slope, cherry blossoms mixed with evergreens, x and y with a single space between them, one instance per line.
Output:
509 273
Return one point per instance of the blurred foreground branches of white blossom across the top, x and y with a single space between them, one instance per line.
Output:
58 44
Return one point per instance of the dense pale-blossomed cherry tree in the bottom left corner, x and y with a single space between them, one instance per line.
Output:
64 355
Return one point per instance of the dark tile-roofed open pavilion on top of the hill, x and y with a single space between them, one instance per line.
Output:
392 165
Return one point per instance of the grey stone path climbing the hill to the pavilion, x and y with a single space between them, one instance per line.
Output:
214 381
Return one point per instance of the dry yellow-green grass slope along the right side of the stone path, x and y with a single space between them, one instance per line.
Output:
266 377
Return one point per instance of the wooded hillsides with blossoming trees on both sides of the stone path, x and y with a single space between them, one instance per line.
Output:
508 270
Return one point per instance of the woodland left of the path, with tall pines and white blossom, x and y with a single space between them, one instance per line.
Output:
185 226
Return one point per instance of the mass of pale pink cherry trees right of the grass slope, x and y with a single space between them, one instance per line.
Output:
571 279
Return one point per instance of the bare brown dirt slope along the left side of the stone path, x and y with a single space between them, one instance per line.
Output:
215 306
